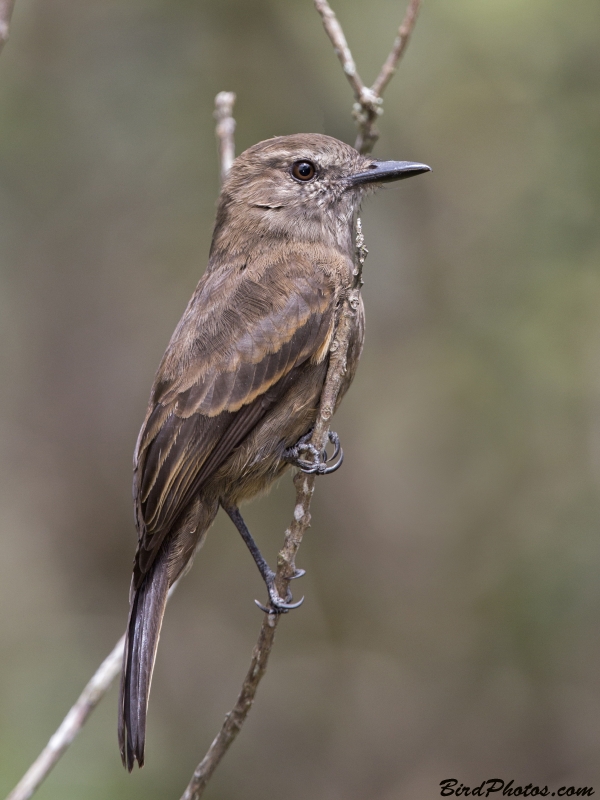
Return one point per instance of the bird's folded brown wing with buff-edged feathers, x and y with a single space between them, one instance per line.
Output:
232 356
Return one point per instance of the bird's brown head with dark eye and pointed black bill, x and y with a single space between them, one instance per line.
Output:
306 187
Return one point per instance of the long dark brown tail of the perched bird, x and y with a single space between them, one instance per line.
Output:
141 640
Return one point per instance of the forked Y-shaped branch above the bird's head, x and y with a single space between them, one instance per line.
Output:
369 103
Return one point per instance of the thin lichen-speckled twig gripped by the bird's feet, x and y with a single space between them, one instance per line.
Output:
305 485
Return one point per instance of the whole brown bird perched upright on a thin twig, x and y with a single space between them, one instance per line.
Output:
238 388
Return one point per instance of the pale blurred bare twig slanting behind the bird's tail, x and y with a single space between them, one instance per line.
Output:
71 725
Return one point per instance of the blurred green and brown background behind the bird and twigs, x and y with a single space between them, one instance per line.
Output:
450 627
